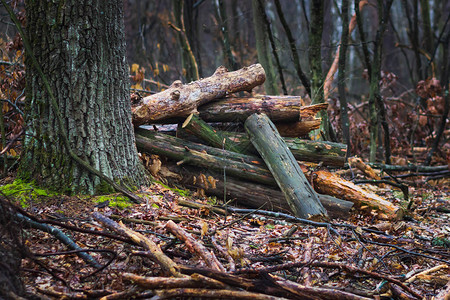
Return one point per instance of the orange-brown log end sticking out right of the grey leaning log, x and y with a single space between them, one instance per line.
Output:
331 184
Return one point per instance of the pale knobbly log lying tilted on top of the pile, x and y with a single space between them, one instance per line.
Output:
182 100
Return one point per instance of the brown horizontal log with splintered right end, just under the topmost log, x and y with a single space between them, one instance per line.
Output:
277 108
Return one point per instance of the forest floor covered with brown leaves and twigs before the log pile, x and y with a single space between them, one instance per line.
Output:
362 255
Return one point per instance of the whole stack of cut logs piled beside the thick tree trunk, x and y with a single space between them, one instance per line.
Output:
264 166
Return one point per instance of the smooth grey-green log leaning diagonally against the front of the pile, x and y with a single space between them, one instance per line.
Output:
300 196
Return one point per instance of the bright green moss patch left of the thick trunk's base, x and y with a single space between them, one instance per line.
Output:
22 192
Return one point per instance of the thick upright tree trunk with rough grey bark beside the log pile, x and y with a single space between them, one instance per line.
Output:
80 47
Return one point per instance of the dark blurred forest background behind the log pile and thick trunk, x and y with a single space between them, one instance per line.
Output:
414 59
